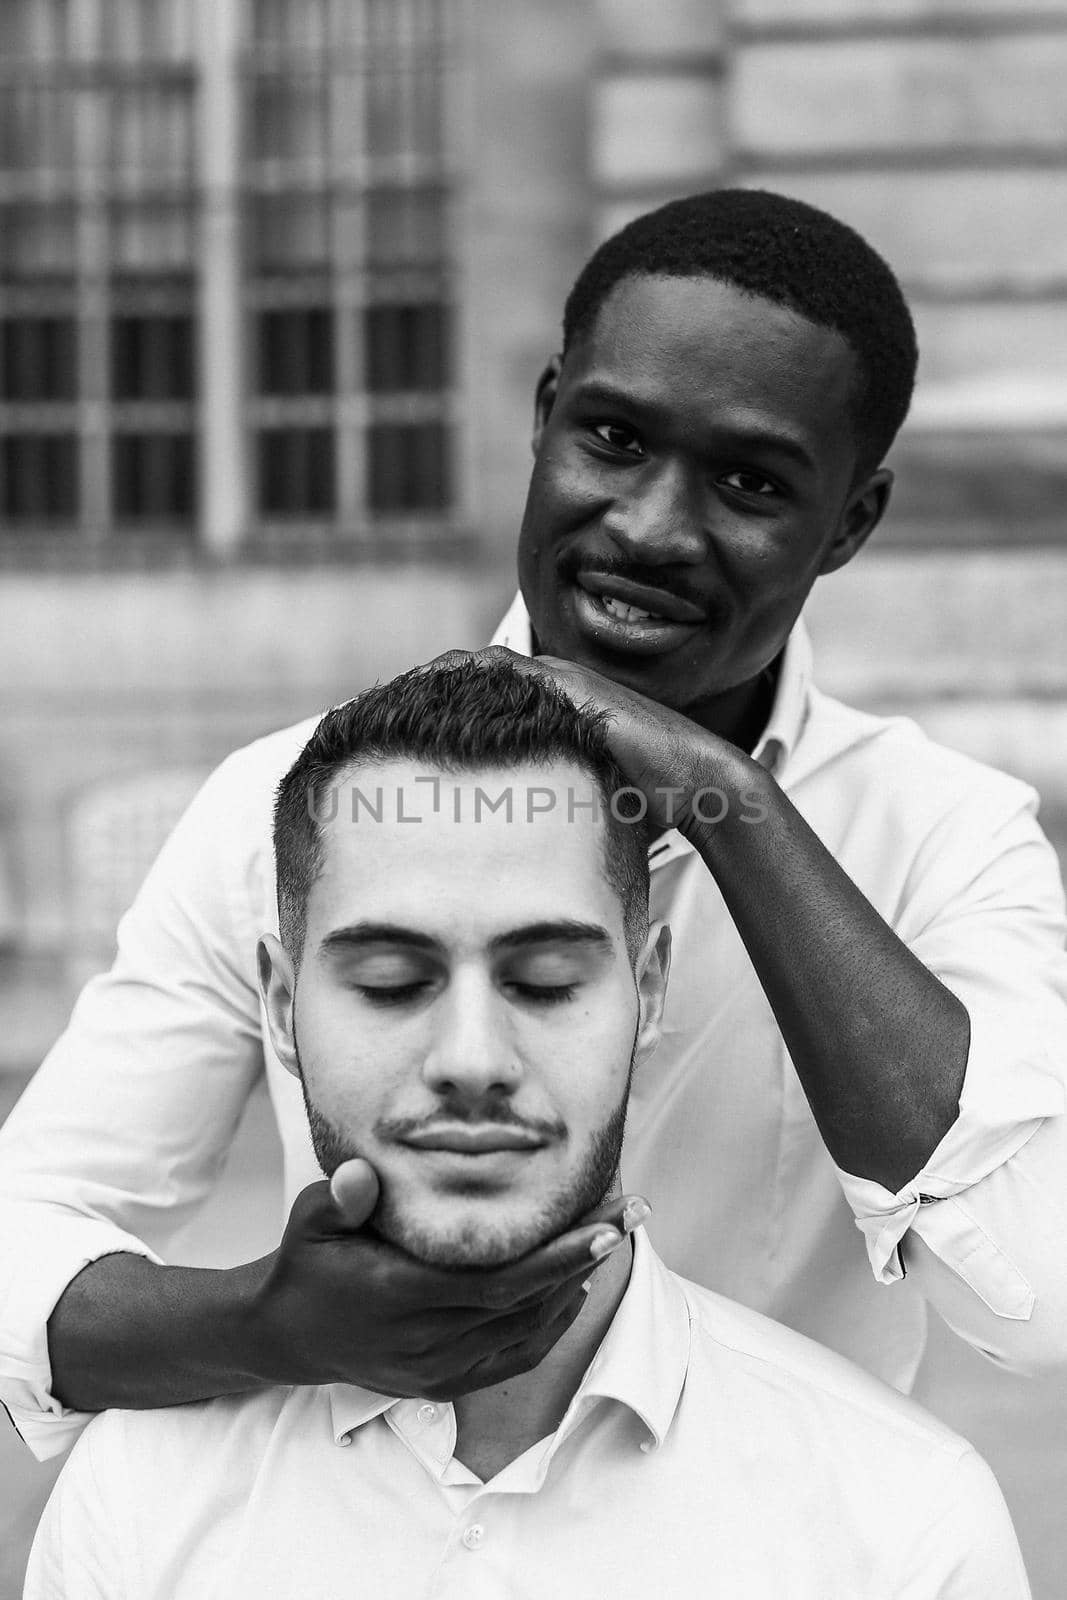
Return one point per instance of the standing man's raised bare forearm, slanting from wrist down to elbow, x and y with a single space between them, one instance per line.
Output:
879 1044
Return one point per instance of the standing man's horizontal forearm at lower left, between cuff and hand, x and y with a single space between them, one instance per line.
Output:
137 1335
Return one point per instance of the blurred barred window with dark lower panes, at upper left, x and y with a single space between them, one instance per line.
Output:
329 233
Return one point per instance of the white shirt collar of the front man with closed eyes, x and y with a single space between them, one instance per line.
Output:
642 1361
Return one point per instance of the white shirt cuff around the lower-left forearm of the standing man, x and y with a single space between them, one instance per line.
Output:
44 1250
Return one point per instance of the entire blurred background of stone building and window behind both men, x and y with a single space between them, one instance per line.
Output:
278 279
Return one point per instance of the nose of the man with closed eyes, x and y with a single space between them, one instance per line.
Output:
473 1054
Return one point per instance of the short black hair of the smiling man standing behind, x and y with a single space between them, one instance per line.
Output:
785 252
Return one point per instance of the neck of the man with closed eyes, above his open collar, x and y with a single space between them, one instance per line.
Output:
495 1426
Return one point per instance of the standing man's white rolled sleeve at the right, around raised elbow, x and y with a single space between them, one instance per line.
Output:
975 1226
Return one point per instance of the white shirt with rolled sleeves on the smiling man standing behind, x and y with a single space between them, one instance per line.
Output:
124 1129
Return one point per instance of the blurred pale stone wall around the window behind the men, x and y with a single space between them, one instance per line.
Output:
937 129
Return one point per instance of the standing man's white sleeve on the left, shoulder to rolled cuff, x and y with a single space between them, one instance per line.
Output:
126 1127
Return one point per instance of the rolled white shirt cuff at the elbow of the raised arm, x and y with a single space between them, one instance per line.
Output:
1007 1097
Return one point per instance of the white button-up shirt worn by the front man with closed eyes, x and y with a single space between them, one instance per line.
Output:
708 1452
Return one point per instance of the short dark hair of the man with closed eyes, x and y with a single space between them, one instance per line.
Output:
457 719
